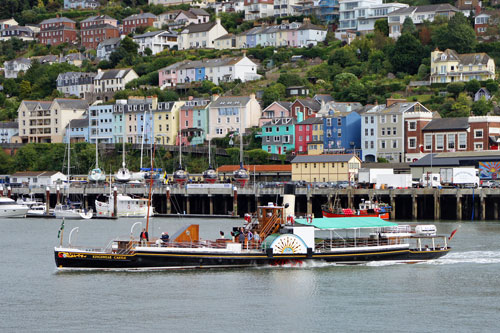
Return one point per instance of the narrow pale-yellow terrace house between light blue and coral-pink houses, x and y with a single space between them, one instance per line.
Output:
166 122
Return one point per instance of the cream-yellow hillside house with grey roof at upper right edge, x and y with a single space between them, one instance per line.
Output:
449 66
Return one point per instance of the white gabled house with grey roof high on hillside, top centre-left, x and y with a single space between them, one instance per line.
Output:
201 35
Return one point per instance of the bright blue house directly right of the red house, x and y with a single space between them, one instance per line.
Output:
342 131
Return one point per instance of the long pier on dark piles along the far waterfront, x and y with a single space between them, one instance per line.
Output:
412 203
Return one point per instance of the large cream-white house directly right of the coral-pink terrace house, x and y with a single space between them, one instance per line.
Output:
232 114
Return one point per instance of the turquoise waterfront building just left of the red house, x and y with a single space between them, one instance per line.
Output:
278 135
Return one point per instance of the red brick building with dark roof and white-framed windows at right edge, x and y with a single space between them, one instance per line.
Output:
462 134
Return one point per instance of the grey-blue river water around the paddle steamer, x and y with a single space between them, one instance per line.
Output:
457 293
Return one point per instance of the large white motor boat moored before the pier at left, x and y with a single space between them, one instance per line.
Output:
127 207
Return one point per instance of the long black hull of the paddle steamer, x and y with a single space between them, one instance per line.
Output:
162 260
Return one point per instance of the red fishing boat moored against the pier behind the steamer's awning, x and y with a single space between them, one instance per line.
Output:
367 208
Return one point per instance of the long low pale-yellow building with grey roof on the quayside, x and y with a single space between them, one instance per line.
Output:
325 168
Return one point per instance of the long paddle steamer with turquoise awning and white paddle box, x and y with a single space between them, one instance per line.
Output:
284 241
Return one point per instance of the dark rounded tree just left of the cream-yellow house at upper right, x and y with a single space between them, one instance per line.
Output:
407 54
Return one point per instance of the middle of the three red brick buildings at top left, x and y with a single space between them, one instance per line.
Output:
96 29
